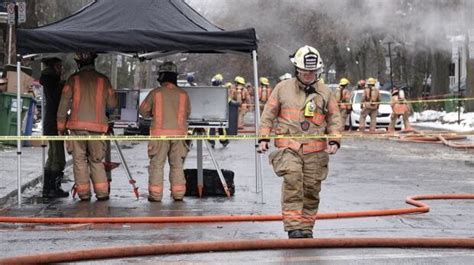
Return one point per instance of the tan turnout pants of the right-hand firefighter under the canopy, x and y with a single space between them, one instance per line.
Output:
176 152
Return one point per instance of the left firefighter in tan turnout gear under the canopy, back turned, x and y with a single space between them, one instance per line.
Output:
88 94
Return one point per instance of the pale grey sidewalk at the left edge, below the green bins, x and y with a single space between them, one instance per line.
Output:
31 174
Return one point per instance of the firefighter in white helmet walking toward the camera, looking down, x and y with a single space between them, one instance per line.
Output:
301 105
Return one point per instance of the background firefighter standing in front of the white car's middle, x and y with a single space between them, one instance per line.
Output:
370 105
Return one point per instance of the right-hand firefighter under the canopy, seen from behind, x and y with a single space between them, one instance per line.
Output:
169 107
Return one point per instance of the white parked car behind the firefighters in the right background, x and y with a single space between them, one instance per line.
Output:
383 117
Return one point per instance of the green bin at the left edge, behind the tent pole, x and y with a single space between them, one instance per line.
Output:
8 113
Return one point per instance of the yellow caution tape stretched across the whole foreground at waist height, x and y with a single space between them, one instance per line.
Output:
228 137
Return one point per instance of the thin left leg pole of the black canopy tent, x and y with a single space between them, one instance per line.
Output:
19 109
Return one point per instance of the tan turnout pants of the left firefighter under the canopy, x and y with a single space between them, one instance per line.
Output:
87 164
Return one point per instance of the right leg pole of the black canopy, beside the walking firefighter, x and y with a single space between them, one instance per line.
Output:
258 157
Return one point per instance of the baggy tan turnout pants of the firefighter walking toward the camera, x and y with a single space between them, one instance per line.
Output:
302 176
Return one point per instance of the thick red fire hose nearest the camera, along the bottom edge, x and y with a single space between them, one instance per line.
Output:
239 245
